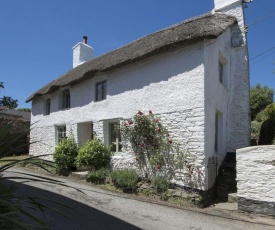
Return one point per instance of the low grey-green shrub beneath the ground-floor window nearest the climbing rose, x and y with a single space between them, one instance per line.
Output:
125 179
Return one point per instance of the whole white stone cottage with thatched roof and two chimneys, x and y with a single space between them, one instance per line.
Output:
193 74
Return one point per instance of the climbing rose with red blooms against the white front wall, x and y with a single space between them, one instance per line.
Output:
156 153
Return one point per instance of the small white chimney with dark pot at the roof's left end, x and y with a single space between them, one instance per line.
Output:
82 52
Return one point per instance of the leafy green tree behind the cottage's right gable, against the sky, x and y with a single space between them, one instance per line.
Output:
260 97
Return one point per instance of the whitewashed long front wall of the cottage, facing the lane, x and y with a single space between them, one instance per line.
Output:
171 85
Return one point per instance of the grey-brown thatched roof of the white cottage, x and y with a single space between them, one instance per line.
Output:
208 26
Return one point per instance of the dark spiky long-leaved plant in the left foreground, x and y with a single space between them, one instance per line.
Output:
15 209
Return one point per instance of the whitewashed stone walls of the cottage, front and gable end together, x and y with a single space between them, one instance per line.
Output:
195 88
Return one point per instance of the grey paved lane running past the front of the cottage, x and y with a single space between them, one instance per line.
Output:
99 209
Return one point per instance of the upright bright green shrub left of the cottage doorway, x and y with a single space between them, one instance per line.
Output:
66 152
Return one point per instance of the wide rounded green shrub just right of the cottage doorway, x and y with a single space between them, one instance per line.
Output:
94 154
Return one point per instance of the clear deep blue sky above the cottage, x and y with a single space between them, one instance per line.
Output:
36 36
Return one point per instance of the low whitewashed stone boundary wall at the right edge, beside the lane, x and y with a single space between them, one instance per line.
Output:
256 179
